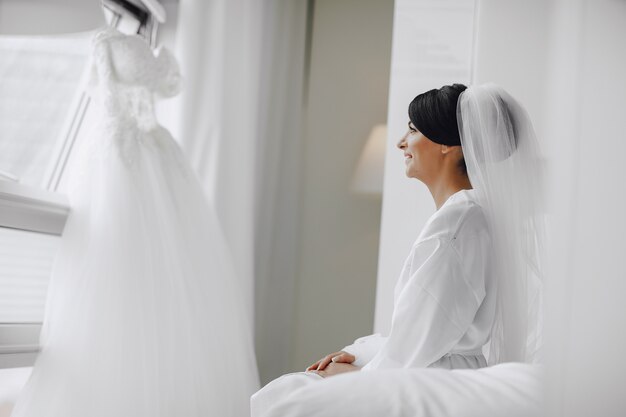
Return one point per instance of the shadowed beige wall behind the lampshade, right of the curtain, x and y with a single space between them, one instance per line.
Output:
347 96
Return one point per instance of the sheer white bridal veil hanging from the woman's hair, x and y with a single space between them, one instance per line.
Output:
505 168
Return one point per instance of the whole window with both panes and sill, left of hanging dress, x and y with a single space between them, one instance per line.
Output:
42 102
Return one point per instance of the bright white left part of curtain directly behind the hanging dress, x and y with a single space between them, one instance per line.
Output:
218 48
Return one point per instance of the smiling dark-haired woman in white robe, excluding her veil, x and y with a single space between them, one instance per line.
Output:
444 298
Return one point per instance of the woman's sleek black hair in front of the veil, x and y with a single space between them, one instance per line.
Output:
434 114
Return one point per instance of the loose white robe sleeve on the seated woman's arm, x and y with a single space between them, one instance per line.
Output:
436 305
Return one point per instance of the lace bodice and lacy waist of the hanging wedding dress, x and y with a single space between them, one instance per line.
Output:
126 77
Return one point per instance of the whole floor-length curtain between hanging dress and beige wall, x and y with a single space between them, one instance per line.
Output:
243 66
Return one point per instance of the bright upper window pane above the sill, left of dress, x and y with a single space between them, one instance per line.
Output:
40 79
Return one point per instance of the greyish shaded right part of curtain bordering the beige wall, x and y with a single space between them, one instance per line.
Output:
278 181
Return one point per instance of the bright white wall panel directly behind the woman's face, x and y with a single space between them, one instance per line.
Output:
432 47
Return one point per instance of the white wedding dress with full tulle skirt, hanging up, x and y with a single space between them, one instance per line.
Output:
144 314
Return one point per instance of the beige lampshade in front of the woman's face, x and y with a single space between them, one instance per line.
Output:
368 176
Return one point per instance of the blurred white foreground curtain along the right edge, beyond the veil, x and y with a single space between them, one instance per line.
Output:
586 313
